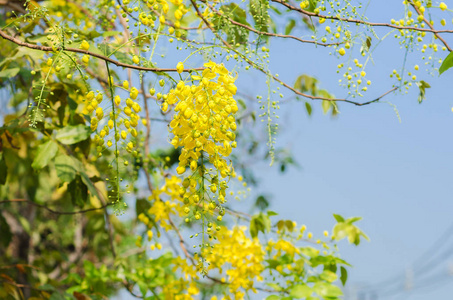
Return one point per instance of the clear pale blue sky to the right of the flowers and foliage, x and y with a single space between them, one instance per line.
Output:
397 176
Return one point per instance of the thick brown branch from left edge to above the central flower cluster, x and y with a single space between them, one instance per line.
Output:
105 58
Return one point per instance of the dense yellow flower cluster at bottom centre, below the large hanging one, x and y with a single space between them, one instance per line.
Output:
242 258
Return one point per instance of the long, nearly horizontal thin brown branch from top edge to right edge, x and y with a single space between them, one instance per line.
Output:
357 21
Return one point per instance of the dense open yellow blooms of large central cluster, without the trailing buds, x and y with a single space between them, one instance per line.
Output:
204 119
